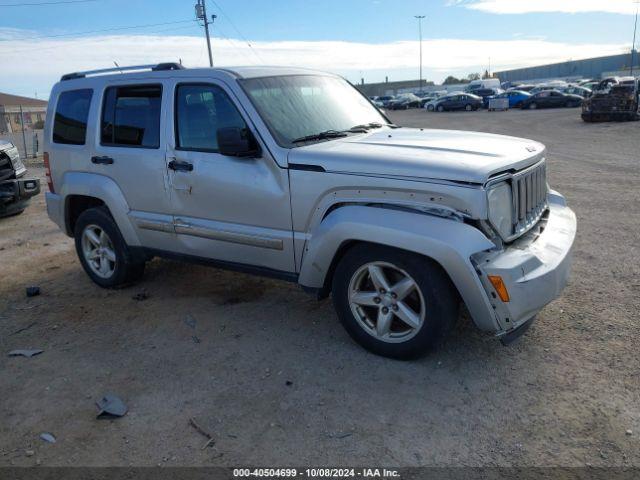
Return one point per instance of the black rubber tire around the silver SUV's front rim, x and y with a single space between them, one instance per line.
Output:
440 298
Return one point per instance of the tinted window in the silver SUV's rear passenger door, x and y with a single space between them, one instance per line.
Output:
131 116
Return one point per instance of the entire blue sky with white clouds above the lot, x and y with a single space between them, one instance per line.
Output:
361 39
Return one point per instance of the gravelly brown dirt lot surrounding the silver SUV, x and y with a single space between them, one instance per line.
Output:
568 393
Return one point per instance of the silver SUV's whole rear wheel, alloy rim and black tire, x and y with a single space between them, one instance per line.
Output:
103 252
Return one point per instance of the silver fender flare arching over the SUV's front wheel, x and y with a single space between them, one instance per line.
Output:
448 242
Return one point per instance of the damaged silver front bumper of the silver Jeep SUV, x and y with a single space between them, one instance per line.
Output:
535 269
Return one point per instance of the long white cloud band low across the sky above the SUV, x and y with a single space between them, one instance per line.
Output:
35 65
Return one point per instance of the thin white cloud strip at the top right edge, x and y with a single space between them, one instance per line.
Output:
623 7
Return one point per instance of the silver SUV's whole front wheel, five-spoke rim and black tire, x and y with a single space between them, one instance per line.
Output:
394 303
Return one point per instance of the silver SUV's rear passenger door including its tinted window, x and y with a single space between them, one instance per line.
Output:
130 149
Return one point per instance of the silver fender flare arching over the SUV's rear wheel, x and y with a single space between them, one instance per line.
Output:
105 189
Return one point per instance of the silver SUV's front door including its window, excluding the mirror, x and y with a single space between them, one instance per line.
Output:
225 208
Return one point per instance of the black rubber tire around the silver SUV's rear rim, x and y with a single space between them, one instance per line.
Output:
127 268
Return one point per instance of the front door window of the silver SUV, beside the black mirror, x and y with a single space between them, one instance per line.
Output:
200 111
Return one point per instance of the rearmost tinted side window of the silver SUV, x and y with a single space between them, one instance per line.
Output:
72 112
